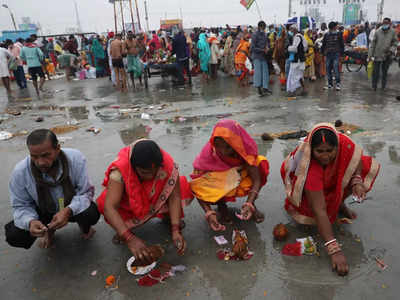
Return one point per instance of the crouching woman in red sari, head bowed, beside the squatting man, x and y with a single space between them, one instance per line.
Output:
141 183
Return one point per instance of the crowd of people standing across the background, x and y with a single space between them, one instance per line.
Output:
247 53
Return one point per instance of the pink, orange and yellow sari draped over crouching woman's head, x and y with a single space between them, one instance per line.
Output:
216 177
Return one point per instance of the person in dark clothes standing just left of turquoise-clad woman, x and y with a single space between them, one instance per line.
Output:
180 48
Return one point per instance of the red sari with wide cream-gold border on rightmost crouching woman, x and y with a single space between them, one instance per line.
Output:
300 171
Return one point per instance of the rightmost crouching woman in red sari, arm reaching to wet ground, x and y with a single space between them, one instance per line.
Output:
319 175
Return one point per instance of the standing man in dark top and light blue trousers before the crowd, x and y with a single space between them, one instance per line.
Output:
258 49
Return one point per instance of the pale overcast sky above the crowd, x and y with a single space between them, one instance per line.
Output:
97 15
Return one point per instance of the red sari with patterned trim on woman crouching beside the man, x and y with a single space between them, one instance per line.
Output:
144 200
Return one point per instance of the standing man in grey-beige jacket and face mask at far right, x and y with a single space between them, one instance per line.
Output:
382 48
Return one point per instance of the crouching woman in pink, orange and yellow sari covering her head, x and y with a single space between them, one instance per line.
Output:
228 167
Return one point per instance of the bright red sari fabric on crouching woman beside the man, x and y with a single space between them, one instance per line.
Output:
136 201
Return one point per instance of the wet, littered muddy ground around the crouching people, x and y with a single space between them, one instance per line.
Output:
181 120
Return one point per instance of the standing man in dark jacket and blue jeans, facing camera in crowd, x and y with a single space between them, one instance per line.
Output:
333 48
